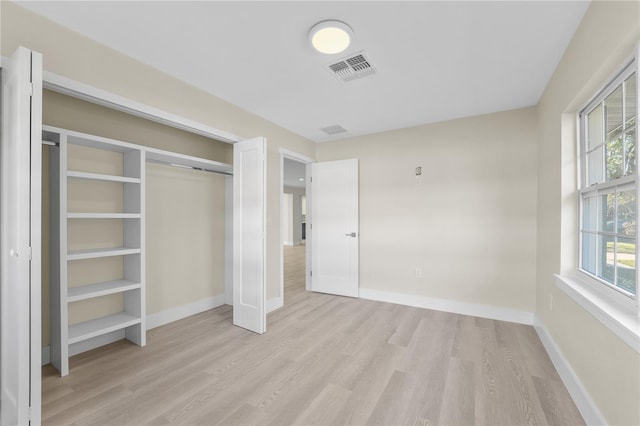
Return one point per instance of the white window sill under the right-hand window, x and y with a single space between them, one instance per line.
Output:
621 320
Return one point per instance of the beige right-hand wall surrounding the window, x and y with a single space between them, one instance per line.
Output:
607 367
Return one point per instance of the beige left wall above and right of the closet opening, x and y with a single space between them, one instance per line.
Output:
68 54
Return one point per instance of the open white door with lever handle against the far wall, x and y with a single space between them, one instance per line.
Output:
334 227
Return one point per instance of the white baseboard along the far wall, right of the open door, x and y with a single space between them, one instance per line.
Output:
472 309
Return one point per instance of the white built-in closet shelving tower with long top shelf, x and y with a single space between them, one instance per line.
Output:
97 239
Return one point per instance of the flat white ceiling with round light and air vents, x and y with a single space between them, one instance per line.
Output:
435 60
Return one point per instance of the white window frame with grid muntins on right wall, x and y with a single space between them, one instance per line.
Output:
605 187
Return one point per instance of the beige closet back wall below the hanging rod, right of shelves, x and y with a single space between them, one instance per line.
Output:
185 236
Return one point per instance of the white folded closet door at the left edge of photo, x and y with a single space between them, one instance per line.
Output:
20 213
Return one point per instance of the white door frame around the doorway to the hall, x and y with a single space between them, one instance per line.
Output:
291 155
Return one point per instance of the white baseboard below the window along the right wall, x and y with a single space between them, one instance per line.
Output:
586 406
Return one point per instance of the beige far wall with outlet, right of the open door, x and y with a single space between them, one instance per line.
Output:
471 223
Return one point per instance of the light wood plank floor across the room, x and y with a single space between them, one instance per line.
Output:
324 360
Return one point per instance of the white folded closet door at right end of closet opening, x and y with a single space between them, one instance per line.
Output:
249 226
